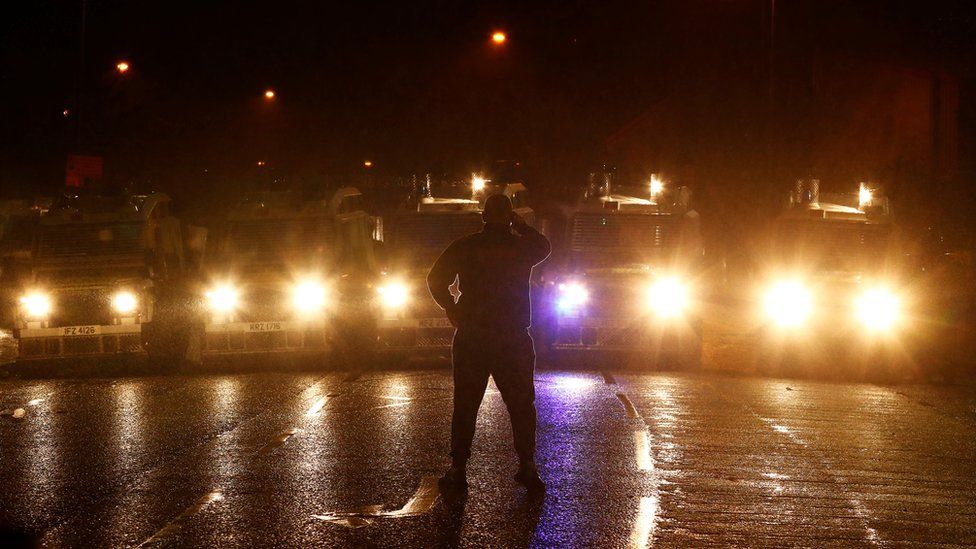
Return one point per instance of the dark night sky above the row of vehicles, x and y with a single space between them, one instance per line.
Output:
414 86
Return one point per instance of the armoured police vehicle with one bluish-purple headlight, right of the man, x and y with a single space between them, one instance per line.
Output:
626 281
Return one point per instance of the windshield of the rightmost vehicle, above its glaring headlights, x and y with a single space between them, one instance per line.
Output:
832 246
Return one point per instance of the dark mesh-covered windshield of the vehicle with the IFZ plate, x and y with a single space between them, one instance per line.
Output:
88 240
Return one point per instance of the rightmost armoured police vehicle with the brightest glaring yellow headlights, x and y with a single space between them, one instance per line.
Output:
833 282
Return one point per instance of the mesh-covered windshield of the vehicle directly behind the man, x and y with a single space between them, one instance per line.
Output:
421 237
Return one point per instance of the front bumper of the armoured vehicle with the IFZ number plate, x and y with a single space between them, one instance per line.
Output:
110 340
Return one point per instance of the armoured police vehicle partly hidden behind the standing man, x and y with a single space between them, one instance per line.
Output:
410 323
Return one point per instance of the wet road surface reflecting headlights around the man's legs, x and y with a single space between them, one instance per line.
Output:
631 459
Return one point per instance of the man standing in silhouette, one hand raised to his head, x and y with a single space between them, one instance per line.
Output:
492 318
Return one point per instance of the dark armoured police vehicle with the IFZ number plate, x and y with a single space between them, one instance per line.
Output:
99 264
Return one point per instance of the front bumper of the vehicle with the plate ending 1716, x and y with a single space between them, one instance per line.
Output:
271 337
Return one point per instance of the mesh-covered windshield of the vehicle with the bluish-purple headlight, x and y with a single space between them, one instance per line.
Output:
622 240
